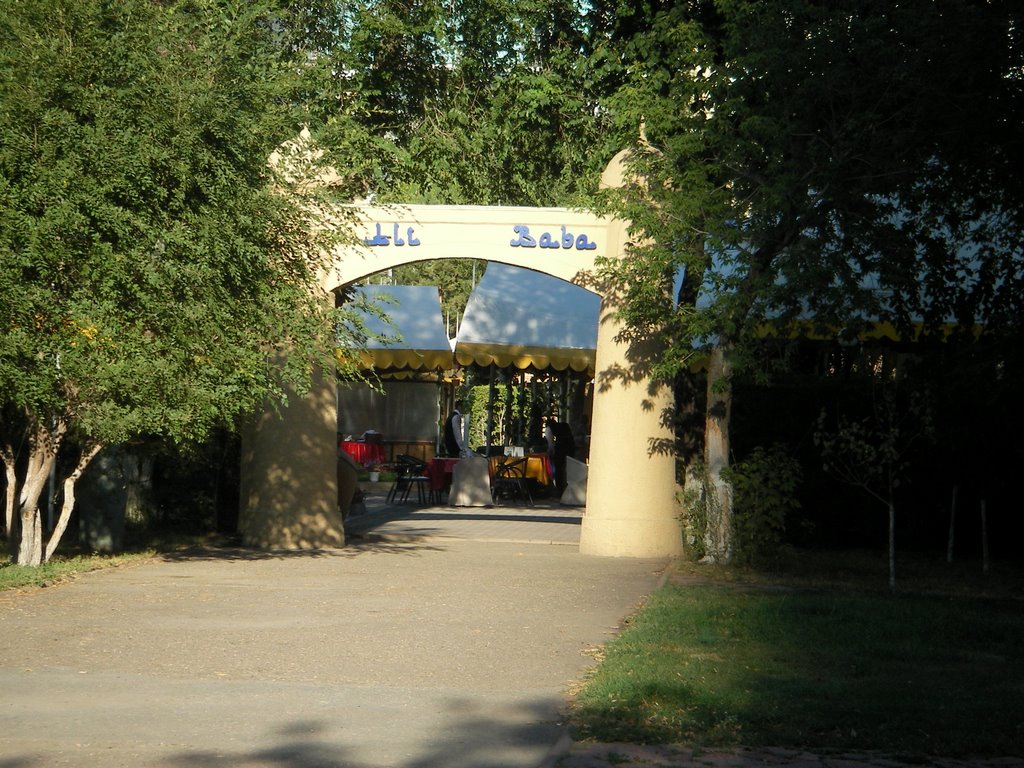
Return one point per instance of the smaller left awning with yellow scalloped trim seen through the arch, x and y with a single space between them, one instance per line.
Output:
416 338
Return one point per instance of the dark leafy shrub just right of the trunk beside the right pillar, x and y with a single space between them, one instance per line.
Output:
764 489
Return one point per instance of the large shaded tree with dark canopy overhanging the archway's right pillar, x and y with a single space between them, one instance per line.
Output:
817 169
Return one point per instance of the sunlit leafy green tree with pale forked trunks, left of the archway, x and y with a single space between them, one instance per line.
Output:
152 263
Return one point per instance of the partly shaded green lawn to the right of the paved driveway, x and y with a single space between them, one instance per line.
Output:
824 670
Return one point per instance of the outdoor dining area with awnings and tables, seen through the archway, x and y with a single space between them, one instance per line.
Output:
520 377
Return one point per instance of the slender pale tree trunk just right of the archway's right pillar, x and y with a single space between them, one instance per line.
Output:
719 409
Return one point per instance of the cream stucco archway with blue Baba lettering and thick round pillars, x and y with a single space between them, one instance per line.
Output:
289 493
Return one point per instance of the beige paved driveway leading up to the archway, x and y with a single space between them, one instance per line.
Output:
407 650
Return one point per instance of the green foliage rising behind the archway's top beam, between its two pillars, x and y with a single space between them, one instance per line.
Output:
479 102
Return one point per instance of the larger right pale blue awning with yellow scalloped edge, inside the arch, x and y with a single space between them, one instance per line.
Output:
525 319
